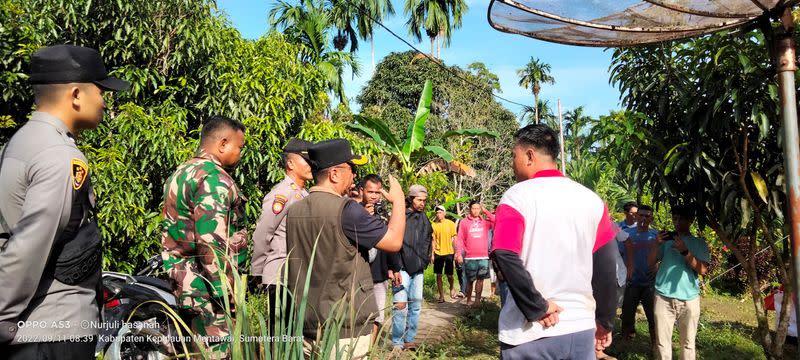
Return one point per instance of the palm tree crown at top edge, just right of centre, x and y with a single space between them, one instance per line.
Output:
436 17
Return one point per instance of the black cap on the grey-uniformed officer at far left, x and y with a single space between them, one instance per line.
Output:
63 64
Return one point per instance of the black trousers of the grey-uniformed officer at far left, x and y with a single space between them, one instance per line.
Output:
65 350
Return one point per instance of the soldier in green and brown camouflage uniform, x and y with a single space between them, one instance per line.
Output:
202 247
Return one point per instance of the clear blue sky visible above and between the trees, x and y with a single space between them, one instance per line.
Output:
581 73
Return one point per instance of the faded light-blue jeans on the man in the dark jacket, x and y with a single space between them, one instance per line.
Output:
405 321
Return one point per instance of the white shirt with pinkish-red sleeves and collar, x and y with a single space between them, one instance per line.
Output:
554 224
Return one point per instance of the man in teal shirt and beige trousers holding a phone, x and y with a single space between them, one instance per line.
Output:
683 258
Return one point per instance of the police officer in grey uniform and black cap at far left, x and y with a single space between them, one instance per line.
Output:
51 254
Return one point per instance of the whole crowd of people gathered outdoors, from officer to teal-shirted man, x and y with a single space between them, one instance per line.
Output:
550 248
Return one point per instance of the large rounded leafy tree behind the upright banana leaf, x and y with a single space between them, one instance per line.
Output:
392 95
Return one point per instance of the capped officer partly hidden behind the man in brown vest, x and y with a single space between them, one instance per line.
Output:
269 238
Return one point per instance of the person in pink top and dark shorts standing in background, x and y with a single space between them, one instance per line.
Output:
472 248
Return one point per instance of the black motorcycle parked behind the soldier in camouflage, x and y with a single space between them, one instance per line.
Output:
136 324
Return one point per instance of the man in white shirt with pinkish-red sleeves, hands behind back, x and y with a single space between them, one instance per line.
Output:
552 247
